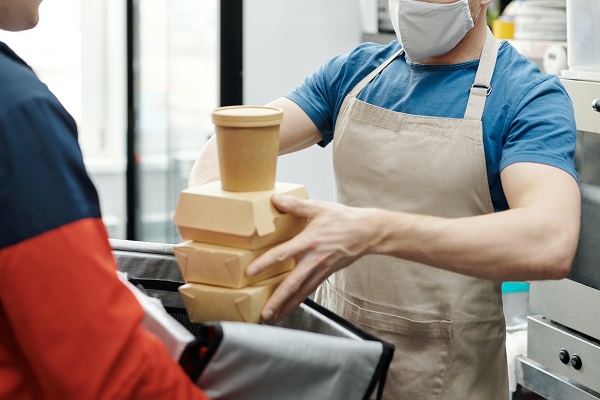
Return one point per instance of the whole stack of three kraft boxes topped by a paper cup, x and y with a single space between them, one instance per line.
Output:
226 224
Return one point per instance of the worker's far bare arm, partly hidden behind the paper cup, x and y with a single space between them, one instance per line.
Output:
297 132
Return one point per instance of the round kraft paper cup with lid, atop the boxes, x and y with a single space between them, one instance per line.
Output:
248 146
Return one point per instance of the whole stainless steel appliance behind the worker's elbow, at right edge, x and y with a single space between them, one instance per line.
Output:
563 346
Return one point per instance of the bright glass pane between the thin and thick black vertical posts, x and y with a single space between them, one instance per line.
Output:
178 61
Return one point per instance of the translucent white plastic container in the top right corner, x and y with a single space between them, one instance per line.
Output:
583 36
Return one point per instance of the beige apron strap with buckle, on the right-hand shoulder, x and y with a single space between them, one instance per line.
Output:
481 87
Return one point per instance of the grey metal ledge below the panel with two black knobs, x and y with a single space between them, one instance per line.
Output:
550 385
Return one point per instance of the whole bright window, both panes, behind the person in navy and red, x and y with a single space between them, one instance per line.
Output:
79 49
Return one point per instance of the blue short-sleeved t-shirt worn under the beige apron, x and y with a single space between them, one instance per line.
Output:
528 115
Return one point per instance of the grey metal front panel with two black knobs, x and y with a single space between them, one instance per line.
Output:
545 341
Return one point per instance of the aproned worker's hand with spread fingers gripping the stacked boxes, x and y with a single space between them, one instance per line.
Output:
334 237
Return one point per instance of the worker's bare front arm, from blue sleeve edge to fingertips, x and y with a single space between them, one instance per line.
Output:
535 239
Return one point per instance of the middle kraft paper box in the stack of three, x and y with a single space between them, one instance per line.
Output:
222 265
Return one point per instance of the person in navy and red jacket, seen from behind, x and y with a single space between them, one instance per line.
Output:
69 329
